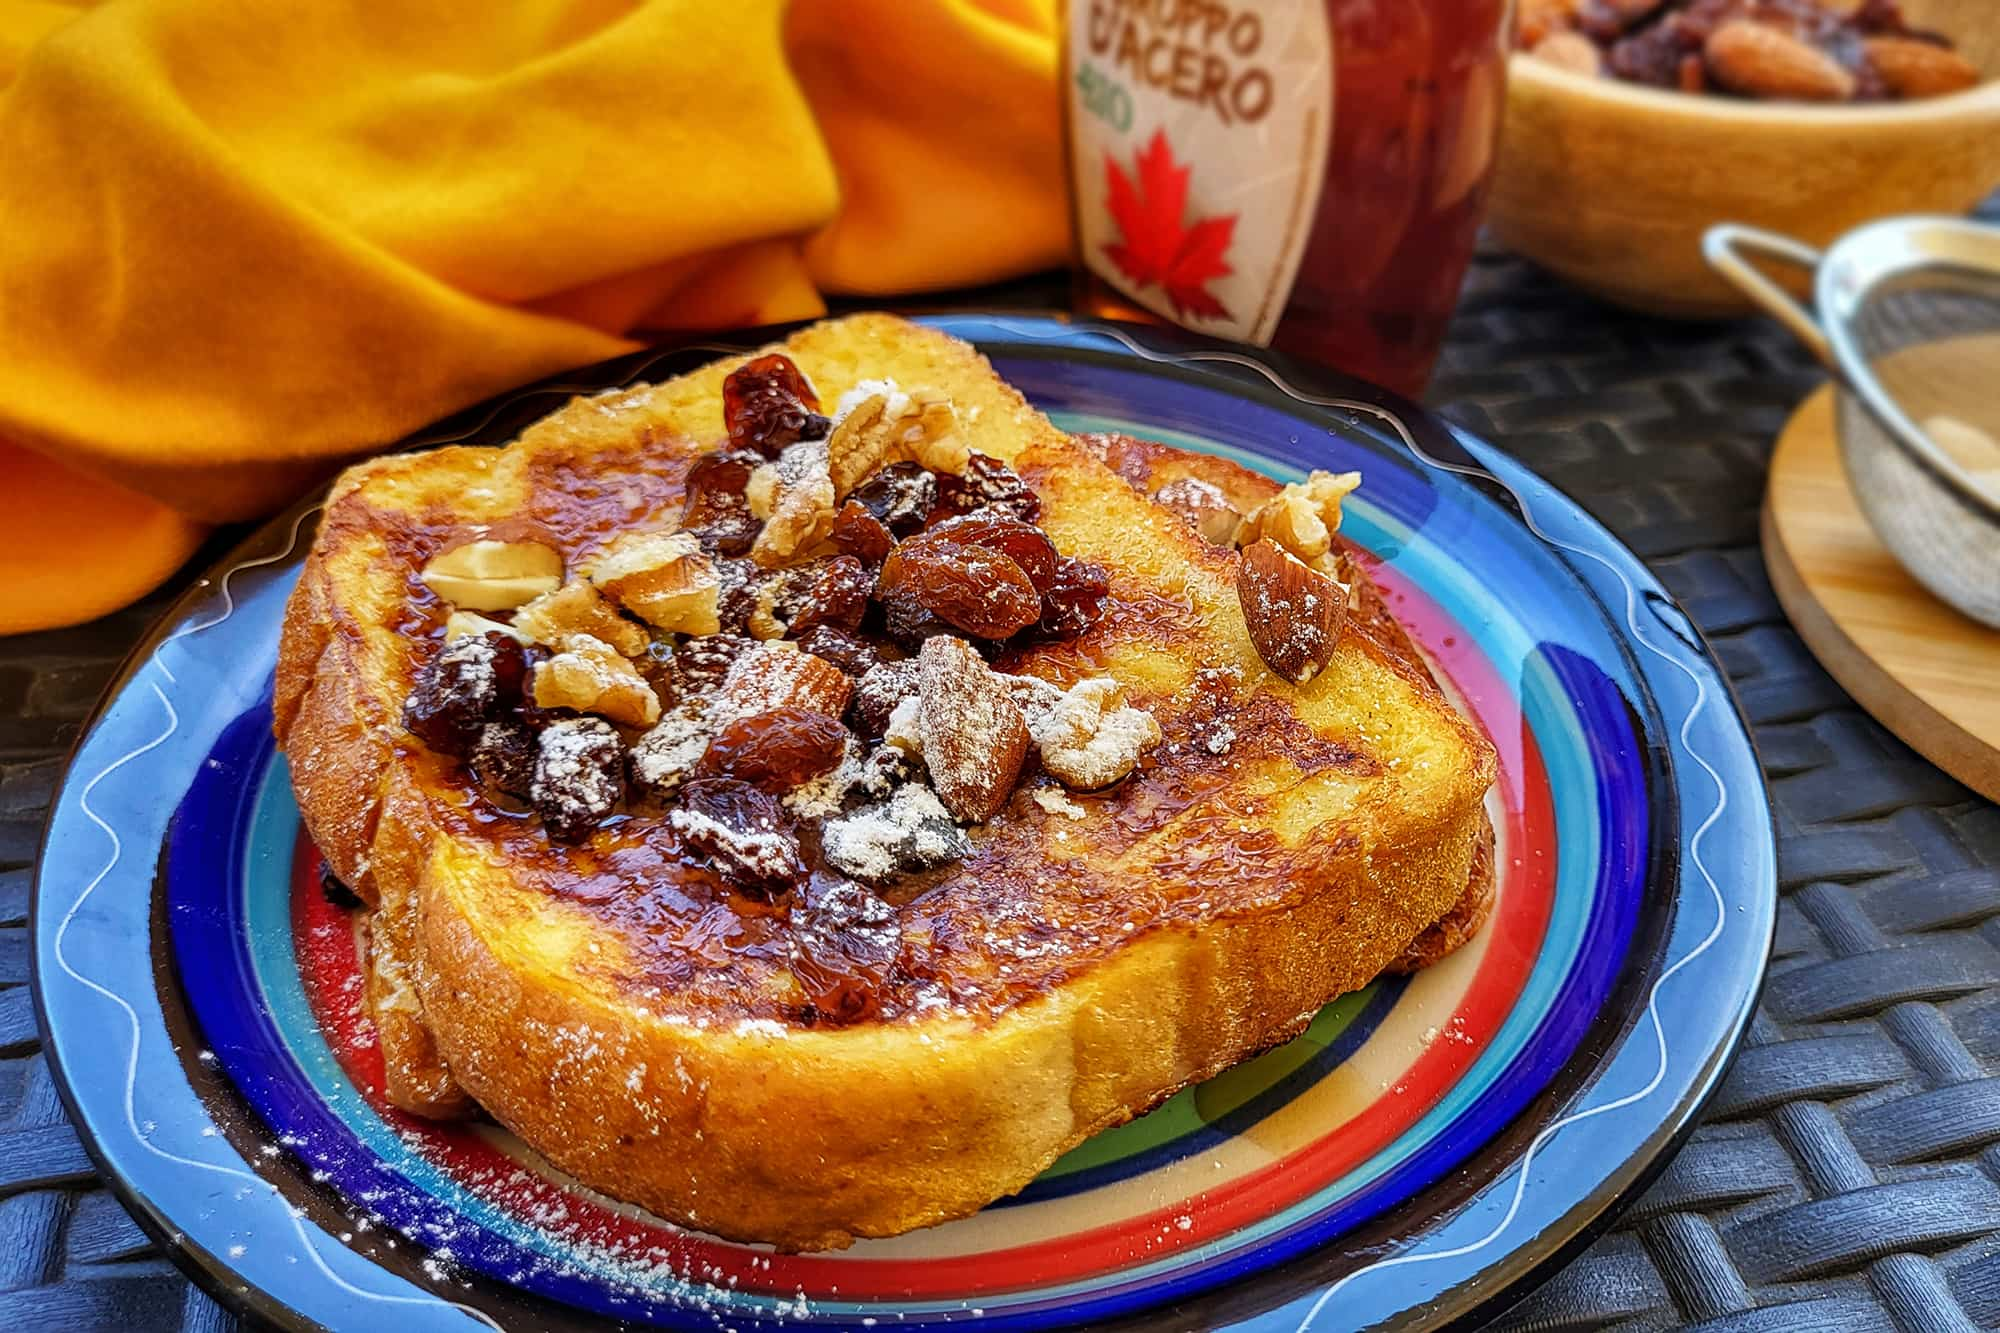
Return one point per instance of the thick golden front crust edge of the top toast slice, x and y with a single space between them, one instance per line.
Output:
813 1138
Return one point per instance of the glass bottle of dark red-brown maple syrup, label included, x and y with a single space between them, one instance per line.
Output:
1305 175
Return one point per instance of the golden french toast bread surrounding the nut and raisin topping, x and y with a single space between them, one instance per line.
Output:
641 1026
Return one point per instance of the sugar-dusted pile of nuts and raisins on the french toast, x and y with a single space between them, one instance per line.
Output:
751 647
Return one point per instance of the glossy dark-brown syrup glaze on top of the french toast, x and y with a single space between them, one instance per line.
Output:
1041 896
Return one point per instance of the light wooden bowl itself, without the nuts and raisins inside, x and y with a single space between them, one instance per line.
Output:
1611 185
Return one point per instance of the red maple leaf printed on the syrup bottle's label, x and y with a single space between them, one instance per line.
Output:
1155 247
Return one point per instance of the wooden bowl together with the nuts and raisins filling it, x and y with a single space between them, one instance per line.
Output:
1801 125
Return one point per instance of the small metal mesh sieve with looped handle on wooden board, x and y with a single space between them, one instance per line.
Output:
1907 315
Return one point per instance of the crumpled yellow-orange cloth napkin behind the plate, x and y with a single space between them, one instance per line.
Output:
241 243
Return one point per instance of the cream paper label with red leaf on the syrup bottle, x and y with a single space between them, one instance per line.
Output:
1199 139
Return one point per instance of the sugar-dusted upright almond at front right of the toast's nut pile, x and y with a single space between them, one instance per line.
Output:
975 738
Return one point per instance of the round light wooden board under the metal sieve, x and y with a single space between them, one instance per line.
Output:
1925 672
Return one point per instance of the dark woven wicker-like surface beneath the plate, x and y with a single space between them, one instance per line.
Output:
1847 1174
